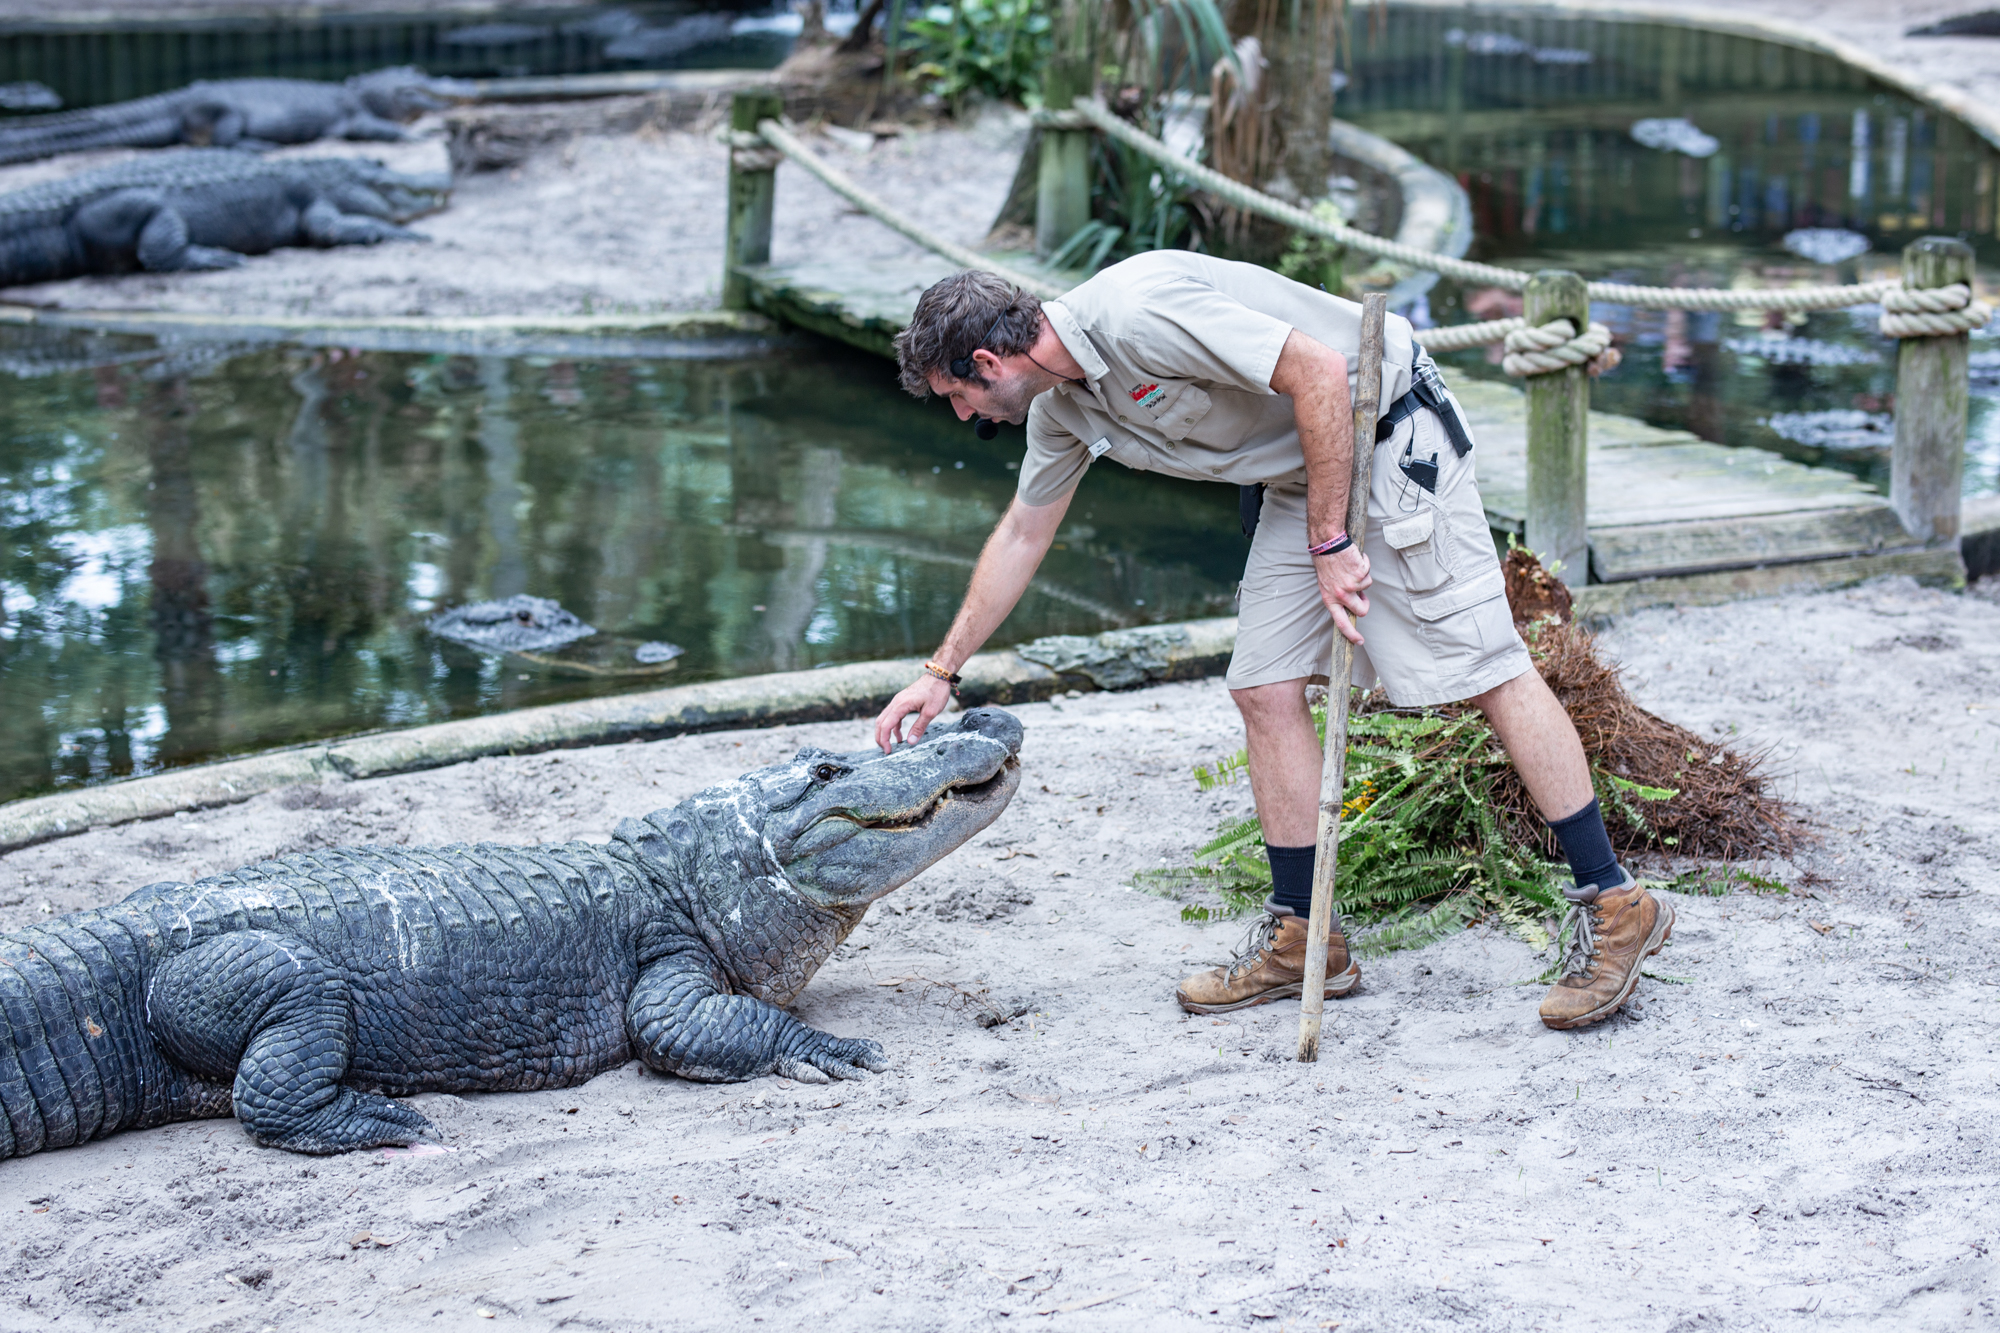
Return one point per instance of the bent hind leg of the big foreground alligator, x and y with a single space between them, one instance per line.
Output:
277 1018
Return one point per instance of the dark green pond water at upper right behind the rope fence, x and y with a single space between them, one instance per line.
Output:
1535 117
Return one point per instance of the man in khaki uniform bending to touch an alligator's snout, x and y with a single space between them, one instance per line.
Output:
1217 371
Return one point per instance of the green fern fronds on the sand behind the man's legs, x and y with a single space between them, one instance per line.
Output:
1421 848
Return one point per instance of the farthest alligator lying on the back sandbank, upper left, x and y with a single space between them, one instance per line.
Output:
237 113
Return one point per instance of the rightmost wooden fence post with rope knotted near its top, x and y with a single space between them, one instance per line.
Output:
1929 459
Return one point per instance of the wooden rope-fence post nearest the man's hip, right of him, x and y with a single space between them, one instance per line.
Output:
1559 435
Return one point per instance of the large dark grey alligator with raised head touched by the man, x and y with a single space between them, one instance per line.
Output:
309 992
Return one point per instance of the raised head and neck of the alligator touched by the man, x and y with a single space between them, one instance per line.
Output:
783 864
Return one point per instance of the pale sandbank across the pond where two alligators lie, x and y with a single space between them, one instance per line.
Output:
627 223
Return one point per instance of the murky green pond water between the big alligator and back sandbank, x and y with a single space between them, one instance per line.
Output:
209 559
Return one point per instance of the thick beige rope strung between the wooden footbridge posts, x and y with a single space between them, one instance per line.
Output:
1529 351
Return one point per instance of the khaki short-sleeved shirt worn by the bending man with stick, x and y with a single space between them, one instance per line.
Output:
1177 353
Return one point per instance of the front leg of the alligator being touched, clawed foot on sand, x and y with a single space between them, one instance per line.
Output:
687 1026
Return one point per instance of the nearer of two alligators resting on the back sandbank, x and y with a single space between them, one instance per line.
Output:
203 209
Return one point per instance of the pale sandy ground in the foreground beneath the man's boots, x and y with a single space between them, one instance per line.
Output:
1799 1130
